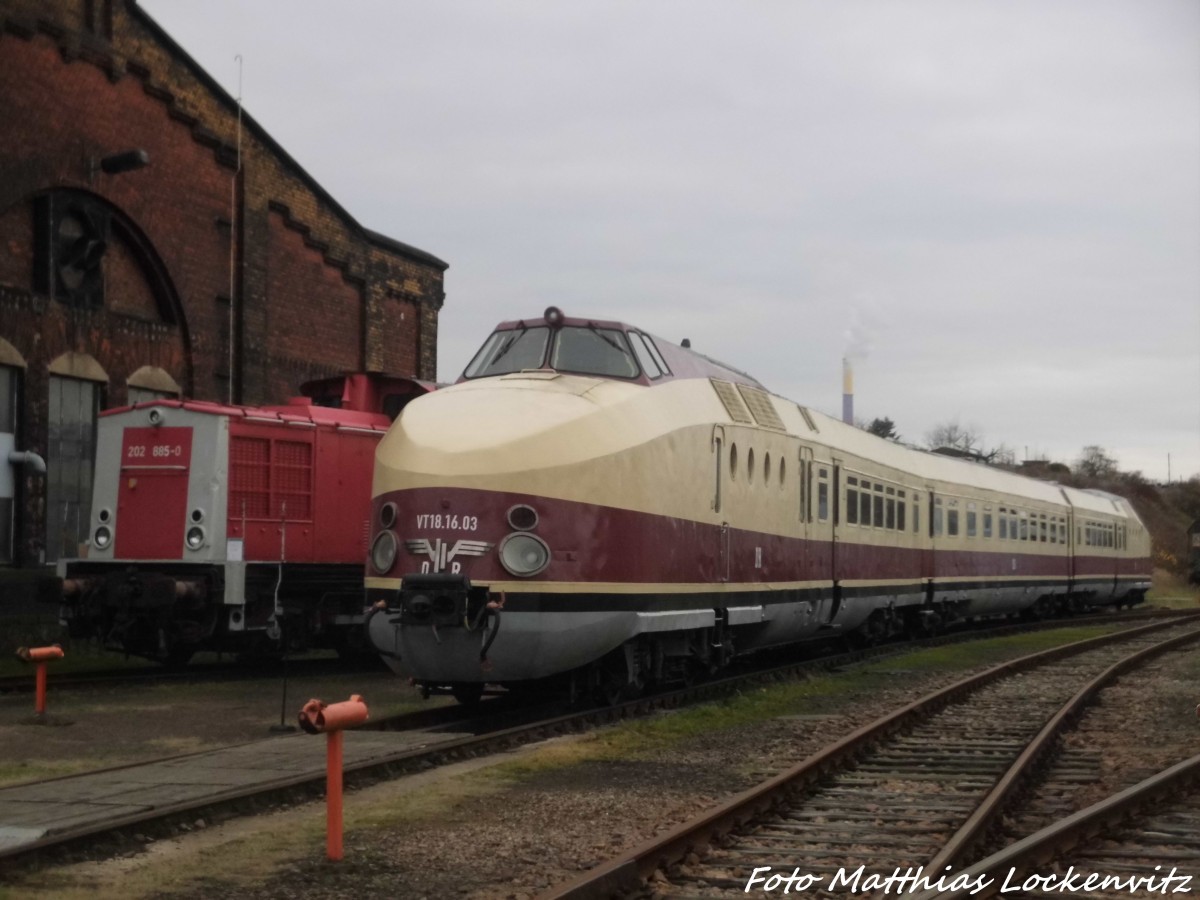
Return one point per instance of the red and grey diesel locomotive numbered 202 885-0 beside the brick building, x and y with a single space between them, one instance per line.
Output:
232 529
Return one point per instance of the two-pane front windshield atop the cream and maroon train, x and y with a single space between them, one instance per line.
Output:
583 350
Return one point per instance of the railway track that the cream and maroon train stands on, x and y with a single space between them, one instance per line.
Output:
433 737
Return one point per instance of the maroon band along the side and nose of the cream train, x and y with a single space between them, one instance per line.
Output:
602 544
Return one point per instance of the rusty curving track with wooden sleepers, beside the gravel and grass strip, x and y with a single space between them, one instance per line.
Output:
917 790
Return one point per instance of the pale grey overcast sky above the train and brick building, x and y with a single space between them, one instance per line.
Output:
994 206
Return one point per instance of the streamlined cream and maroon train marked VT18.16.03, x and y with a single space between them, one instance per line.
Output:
590 500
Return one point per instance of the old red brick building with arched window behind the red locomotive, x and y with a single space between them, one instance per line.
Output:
149 245
